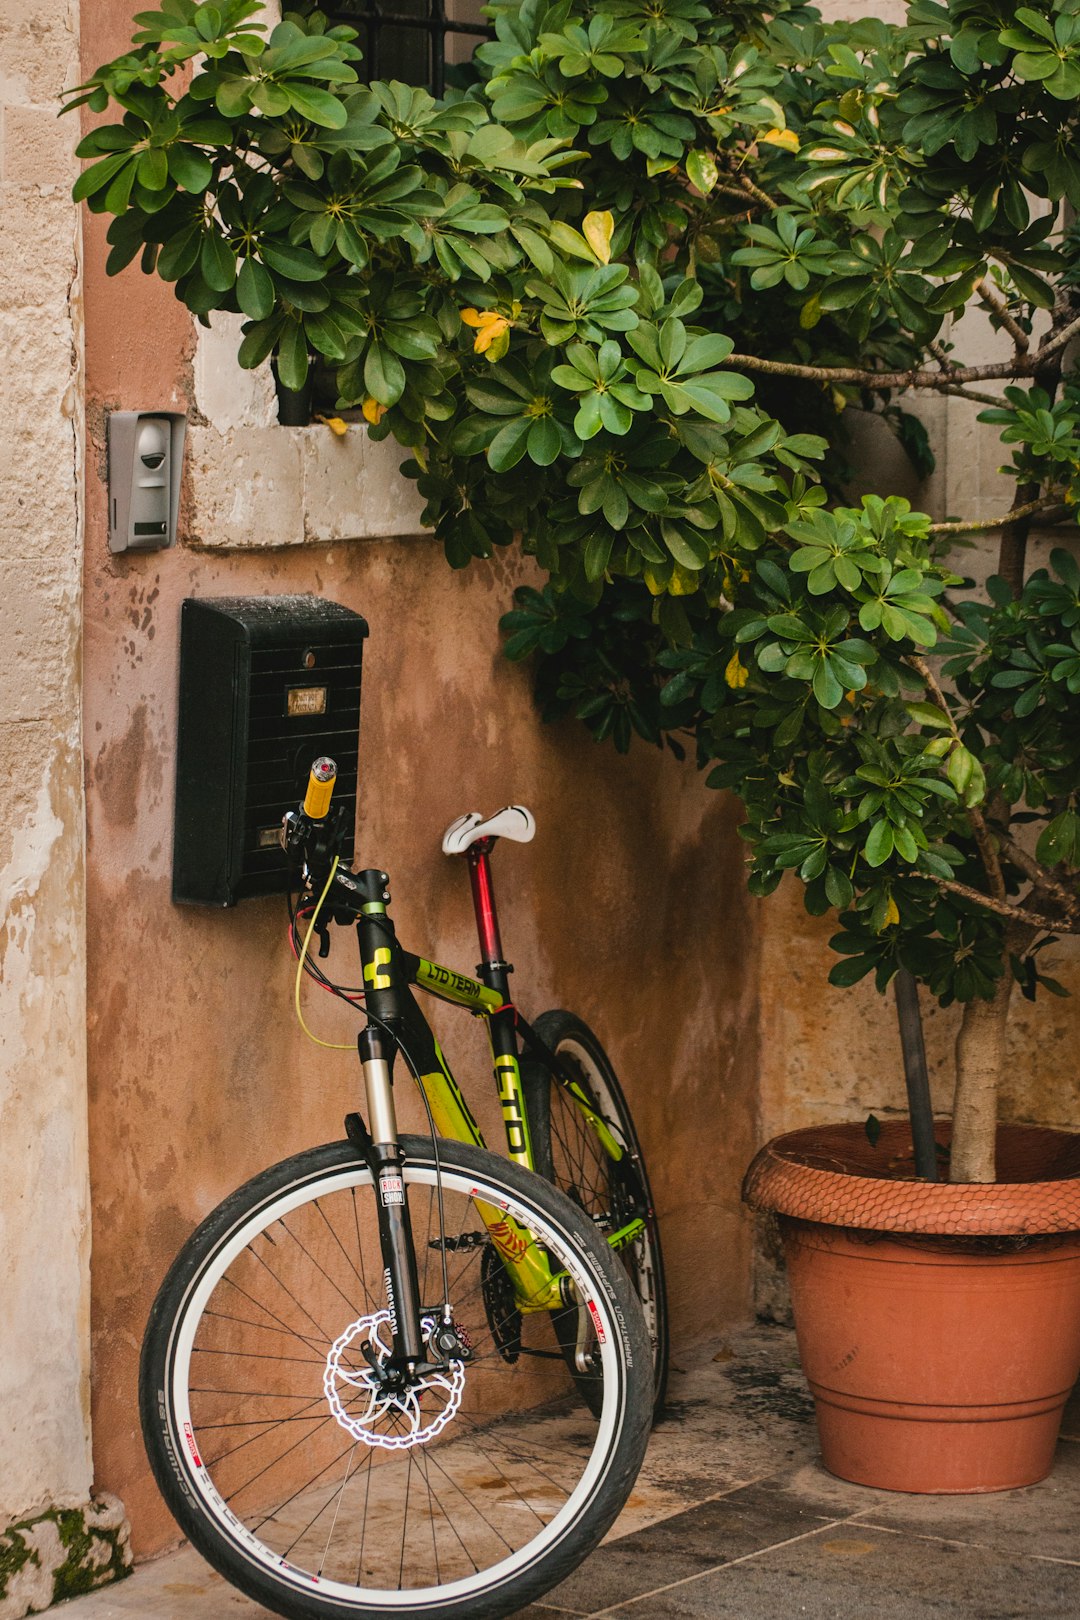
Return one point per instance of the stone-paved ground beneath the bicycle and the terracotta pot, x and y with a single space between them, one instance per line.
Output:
736 1519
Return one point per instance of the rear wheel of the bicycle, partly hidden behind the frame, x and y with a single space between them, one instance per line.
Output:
569 1154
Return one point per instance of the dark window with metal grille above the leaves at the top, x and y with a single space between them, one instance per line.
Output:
414 41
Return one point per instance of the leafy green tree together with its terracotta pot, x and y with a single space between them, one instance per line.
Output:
621 294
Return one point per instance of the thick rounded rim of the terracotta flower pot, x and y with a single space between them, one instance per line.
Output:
1040 1201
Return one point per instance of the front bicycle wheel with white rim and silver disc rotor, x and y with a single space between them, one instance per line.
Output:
236 1366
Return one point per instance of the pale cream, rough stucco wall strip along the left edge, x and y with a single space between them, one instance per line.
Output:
45 1213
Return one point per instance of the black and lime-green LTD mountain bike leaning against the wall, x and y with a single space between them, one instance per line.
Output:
402 1376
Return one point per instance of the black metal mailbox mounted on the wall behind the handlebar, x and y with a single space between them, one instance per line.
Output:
266 686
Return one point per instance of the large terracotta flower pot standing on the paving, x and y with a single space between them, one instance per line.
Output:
938 1326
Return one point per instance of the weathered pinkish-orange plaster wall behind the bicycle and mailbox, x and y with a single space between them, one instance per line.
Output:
629 906
